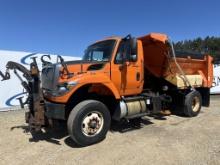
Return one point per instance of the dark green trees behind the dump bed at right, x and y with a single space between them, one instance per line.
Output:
207 45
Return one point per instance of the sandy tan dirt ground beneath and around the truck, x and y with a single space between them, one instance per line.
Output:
170 140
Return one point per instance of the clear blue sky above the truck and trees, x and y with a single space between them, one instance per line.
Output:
67 27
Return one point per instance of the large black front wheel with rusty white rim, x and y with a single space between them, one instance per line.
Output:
89 122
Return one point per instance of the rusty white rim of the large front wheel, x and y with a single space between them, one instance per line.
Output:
92 123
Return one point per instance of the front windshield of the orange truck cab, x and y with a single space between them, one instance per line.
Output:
100 51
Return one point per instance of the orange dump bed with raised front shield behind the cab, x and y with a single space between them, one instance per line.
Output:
160 61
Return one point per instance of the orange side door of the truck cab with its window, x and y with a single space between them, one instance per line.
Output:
127 74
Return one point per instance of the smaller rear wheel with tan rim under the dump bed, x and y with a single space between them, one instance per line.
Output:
193 103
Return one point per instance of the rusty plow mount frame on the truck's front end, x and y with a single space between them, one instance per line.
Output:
35 117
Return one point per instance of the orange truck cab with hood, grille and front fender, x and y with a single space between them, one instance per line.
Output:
106 66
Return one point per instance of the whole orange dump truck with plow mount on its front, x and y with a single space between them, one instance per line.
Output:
117 78
